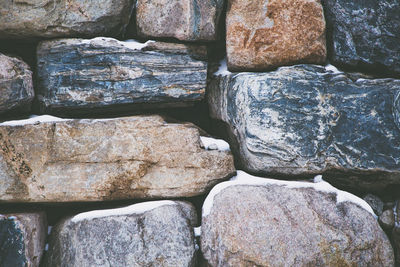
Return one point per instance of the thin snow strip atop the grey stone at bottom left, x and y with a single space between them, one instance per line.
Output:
132 209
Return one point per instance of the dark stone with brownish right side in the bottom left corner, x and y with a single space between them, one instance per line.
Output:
22 239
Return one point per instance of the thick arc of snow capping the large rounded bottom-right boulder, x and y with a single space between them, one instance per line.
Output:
243 178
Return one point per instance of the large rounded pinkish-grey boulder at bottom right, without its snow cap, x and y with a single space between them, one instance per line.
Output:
272 225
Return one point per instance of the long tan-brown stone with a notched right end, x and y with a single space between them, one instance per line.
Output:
91 160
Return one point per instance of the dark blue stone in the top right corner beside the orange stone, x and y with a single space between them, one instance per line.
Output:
364 33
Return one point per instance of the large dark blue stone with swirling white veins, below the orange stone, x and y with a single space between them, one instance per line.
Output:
305 120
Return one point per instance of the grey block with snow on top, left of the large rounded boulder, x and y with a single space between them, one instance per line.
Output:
161 235
